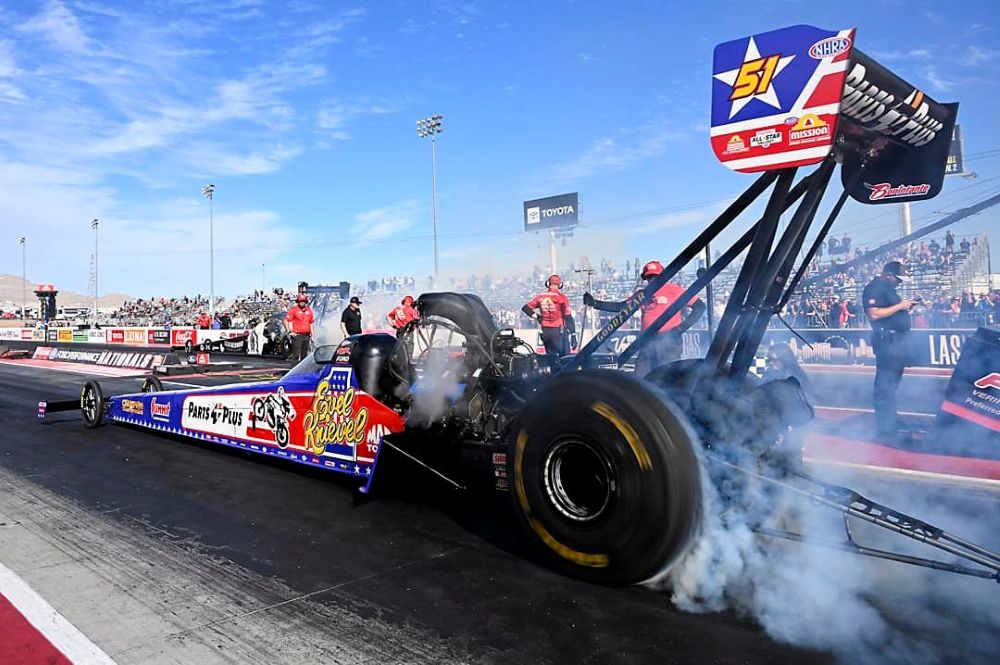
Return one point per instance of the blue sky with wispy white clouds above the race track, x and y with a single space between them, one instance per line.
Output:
303 116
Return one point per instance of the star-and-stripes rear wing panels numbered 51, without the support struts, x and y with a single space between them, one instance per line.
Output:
789 97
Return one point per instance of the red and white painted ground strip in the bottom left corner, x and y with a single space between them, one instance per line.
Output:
32 631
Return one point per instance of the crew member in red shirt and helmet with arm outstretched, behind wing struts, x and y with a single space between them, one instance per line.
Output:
668 343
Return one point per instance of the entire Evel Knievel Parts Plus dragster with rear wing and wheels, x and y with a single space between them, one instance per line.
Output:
604 468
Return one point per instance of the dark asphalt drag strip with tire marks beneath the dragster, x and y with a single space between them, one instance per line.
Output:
163 550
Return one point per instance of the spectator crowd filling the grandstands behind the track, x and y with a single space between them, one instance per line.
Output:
830 302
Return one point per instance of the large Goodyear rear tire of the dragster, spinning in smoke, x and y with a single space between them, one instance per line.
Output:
605 477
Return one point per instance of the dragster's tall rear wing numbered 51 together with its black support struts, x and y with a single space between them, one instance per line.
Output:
793 97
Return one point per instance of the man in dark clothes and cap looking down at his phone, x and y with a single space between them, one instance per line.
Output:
890 318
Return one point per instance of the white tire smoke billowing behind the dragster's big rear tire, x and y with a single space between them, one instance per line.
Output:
858 608
